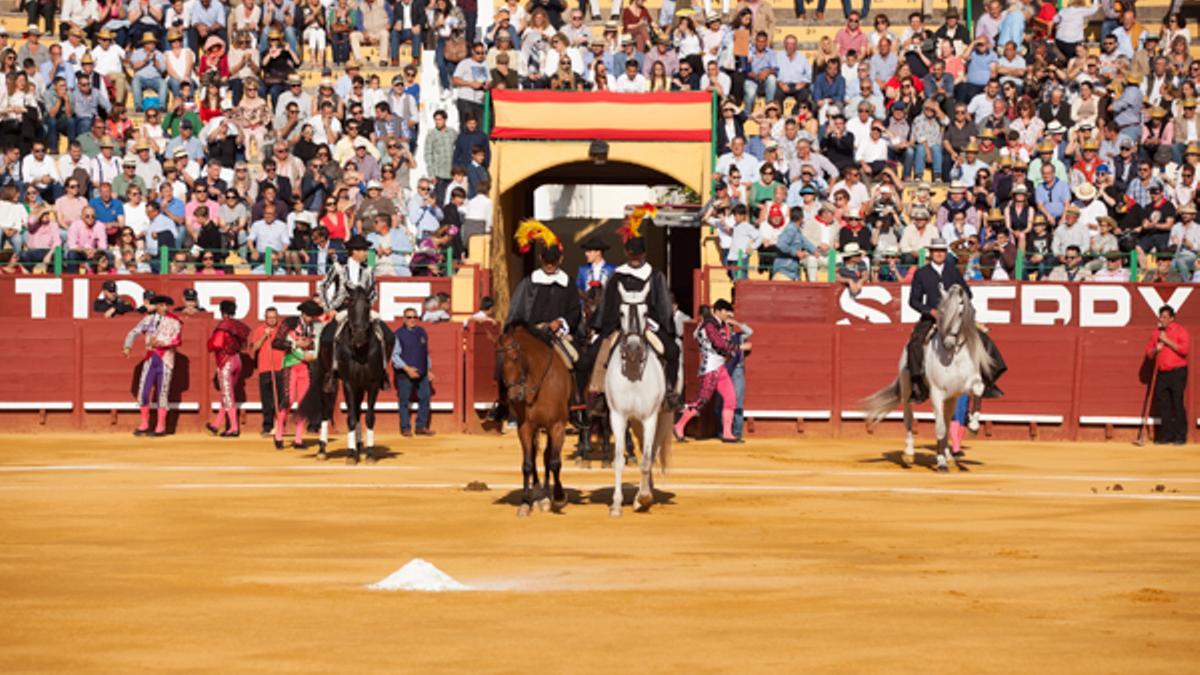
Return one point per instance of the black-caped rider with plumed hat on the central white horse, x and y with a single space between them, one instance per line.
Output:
633 278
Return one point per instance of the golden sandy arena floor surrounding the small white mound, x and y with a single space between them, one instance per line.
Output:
203 555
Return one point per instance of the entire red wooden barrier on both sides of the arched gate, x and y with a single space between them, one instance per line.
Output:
1075 355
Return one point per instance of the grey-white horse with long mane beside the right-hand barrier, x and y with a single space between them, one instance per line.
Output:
956 365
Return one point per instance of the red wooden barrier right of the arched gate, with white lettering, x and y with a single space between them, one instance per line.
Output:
1076 355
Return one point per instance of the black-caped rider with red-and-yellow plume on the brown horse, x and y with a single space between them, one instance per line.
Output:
547 300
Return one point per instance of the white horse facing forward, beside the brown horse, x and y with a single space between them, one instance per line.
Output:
635 386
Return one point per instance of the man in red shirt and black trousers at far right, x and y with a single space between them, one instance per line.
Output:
1169 348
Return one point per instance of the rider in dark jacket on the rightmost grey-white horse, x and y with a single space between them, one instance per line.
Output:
928 285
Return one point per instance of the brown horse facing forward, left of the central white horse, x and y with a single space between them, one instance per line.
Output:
539 393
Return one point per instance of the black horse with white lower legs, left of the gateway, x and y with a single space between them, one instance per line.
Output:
362 371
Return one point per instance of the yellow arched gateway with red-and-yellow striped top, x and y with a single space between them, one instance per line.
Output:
596 139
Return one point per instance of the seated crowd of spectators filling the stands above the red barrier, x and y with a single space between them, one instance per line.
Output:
153 136
